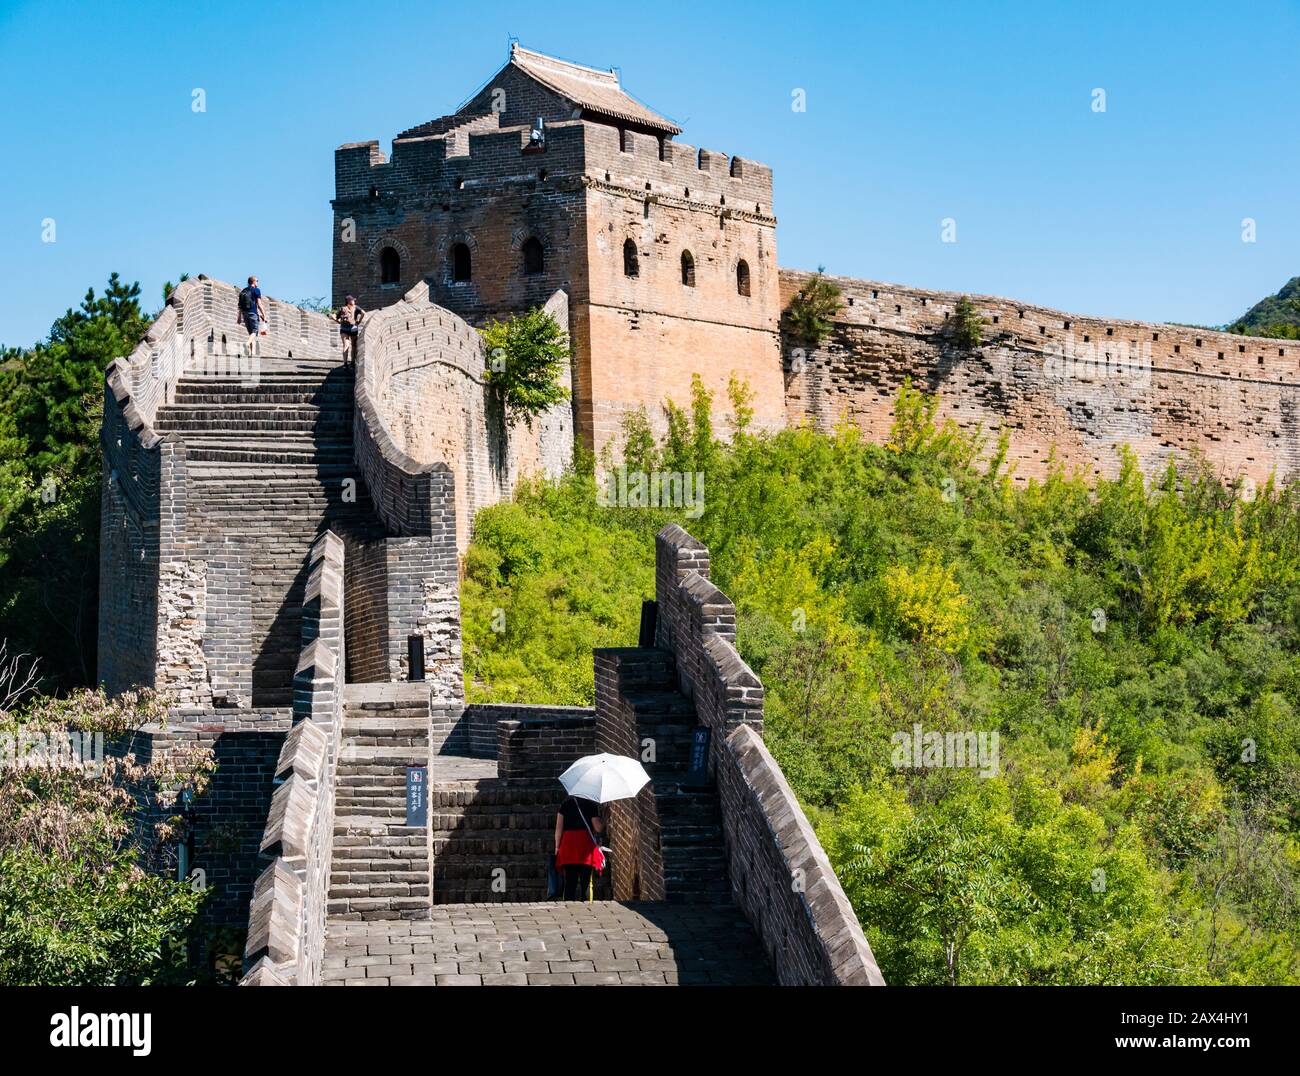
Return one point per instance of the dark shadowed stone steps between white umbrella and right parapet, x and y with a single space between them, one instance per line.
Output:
691 834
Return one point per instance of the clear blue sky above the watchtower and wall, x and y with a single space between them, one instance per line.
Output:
916 112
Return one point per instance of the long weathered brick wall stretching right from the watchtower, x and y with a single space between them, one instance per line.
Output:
1080 385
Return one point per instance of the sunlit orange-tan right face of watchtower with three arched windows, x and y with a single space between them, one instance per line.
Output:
640 339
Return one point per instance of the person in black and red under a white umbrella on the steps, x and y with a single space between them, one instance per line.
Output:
590 783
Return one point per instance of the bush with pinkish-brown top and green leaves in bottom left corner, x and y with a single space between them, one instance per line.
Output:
85 895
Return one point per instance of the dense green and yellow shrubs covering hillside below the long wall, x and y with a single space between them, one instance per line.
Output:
1134 645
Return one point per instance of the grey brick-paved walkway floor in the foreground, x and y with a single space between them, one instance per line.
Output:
553 944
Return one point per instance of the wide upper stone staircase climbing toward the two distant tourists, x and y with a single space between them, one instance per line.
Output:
268 457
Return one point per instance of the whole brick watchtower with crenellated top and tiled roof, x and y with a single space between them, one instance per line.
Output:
553 177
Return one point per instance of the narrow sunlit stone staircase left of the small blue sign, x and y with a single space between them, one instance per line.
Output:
380 867
